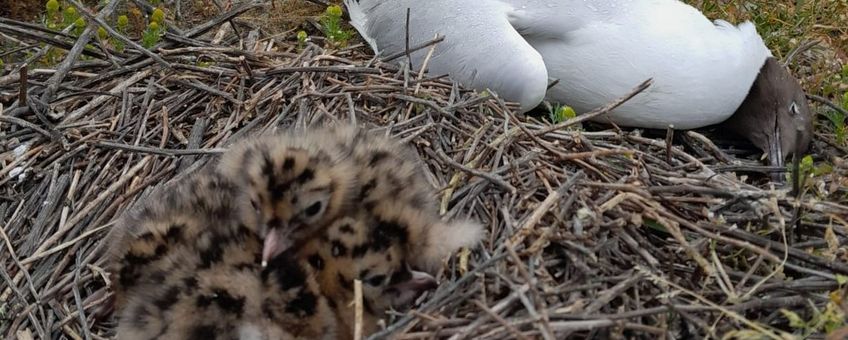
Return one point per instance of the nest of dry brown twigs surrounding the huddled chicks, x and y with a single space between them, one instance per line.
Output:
604 233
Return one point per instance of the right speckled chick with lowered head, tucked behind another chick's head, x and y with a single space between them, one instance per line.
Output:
392 239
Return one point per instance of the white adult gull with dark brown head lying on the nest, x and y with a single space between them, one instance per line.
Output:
599 50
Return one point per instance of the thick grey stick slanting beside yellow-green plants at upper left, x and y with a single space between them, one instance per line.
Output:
66 64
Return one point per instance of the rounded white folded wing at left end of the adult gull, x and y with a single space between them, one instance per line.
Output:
481 49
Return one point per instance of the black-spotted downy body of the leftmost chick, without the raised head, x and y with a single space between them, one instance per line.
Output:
185 265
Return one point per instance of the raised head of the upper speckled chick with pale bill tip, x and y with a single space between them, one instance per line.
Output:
295 184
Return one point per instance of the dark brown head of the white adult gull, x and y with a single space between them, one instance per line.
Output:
775 116
